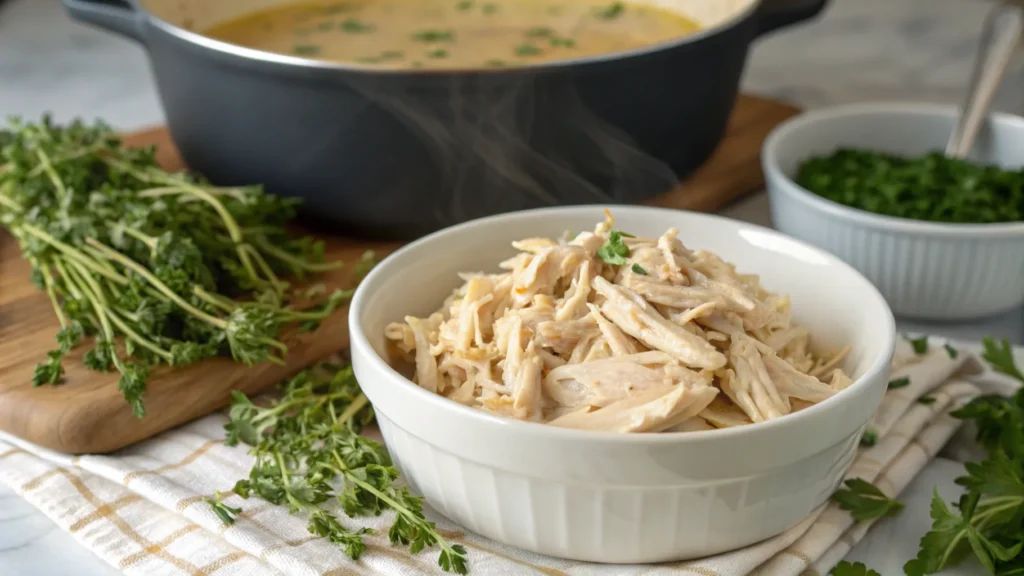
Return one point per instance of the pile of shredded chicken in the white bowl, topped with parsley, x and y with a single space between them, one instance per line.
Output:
607 333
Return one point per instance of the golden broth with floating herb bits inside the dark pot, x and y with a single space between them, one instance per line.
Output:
453 33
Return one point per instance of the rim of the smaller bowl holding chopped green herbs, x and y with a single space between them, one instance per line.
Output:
777 141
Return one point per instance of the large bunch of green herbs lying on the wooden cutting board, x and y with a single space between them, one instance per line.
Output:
158 268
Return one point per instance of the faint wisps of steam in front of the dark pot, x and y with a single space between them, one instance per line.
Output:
501 143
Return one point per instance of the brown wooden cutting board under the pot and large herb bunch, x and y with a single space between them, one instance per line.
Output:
87 415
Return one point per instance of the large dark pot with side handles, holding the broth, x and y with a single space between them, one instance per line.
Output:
398 154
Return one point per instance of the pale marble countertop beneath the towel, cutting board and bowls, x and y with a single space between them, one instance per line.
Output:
860 51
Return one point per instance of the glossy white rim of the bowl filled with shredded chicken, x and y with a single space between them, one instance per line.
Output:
360 344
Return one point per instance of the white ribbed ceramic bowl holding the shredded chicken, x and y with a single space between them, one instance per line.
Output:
609 498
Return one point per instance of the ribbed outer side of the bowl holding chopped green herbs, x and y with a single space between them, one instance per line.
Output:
921 276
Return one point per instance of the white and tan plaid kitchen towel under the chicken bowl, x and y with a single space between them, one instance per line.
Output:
143 510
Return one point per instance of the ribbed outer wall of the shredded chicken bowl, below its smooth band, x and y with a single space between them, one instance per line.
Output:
616 524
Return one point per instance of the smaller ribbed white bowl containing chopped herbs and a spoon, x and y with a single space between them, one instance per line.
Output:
925 270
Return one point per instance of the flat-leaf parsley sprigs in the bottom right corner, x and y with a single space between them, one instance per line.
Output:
989 520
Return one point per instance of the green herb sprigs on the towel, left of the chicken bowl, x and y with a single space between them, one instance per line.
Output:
309 451
